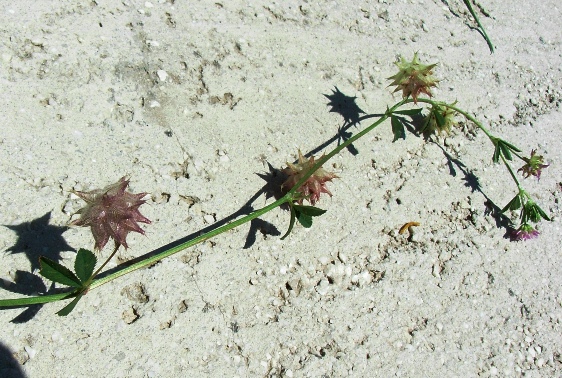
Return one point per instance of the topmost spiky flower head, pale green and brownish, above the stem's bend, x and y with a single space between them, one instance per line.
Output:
413 78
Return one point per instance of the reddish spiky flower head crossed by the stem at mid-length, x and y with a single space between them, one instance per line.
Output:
314 186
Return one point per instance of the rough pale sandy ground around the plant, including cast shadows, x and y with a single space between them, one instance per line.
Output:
193 99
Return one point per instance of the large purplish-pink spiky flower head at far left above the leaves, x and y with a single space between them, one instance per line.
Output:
111 212
